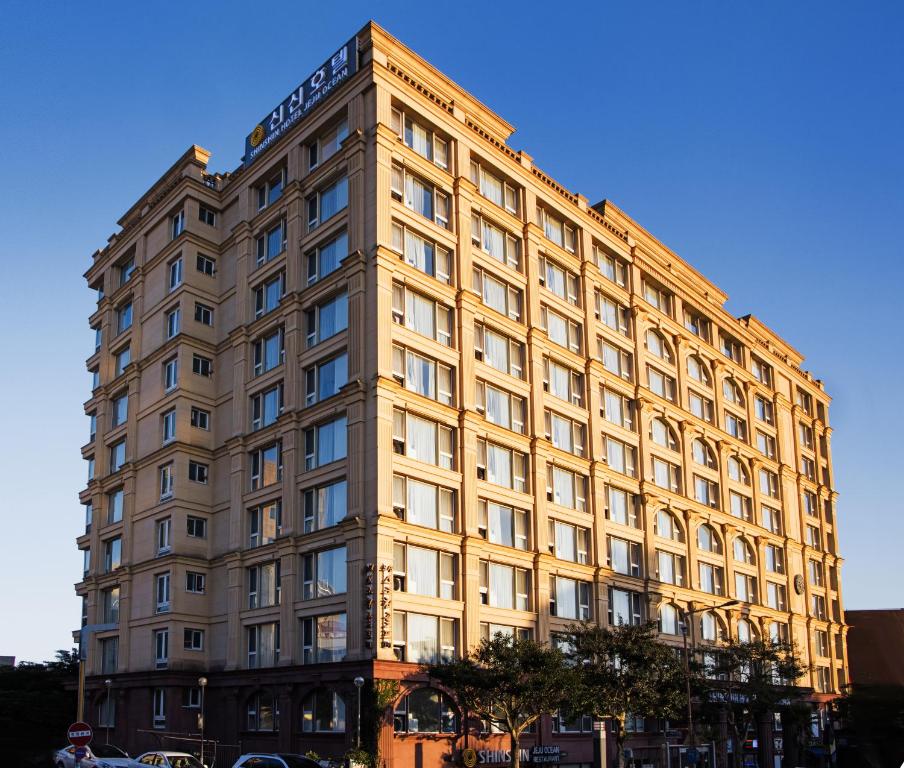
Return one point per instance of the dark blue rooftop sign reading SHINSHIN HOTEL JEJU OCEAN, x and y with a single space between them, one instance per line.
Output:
306 97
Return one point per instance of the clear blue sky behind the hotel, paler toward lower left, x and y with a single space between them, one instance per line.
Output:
764 142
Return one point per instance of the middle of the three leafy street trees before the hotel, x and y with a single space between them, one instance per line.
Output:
625 670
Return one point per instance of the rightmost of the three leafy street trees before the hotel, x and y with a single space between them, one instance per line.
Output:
748 681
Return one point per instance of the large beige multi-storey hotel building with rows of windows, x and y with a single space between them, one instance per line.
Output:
388 388
